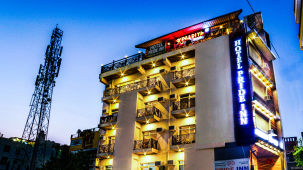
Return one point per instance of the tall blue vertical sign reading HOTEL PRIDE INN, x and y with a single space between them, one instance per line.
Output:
241 85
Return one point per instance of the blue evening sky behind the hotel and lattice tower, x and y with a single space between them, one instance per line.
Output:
96 32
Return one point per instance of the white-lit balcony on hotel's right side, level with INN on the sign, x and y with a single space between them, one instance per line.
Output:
266 107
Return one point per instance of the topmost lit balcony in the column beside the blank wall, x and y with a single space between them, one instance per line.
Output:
184 77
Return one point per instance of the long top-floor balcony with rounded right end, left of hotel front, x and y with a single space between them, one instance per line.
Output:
149 86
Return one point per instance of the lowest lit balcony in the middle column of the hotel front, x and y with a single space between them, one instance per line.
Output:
146 147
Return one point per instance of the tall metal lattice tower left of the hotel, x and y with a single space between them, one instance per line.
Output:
36 127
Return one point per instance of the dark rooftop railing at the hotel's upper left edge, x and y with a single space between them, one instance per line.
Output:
122 62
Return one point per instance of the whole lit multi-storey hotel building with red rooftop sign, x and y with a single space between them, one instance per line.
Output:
203 97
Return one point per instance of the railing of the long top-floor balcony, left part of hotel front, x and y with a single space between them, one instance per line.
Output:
133 86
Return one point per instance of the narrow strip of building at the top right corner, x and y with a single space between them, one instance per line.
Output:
298 11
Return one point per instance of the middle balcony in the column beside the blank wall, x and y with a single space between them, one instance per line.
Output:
183 108
